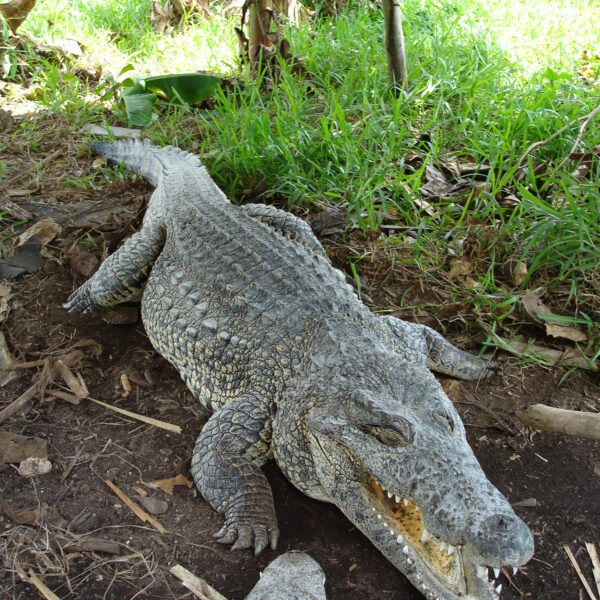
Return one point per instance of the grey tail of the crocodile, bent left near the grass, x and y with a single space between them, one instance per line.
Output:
141 156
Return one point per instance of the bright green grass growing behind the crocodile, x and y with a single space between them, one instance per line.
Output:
487 79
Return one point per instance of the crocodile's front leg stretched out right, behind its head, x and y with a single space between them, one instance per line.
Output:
441 355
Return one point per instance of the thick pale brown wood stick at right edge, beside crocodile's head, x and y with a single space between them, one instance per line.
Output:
571 422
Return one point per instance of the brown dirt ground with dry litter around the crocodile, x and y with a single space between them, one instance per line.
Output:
552 480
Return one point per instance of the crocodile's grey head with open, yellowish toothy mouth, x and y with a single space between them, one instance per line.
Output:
398 464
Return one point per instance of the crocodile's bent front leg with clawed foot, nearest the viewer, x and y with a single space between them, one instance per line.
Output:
233 445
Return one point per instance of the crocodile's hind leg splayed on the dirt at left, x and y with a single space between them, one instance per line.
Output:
122 276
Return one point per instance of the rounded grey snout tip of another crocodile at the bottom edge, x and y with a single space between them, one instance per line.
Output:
291 576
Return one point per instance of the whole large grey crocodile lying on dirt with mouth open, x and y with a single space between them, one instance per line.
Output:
270 337
